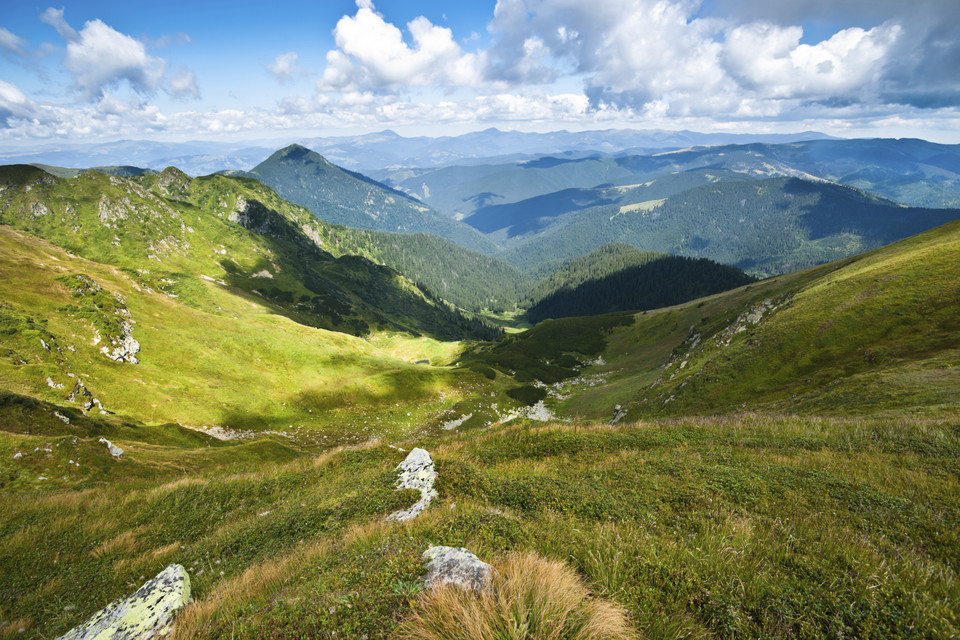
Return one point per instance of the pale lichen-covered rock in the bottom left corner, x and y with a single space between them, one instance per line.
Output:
146 615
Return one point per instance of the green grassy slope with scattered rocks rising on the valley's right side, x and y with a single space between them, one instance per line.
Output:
876 332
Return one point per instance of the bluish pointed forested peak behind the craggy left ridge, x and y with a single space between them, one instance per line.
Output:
343 197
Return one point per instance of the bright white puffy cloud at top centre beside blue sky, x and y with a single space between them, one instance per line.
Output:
371 55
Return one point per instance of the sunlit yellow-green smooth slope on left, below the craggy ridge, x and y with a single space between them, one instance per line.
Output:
234 363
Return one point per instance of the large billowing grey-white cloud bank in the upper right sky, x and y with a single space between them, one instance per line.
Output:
666 57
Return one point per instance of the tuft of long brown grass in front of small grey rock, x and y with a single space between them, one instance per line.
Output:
530 598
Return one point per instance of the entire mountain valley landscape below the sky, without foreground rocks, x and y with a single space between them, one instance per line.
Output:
718 385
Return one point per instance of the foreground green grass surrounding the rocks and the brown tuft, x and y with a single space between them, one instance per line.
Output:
750 526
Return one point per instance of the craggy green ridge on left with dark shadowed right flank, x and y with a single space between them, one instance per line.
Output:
171 231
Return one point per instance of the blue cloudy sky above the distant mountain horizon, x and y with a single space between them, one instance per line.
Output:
101 70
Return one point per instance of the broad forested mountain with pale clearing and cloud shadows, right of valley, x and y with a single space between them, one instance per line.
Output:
765 227
